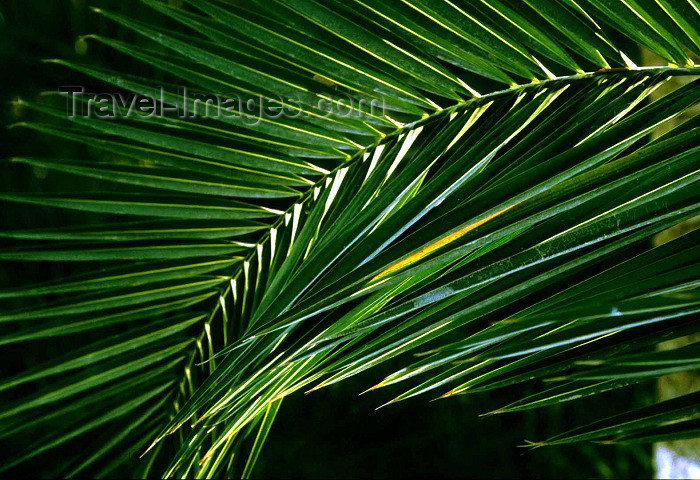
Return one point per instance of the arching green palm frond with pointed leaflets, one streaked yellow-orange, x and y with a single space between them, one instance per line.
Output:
502 215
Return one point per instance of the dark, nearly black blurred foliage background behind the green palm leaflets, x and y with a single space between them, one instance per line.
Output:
333 432
